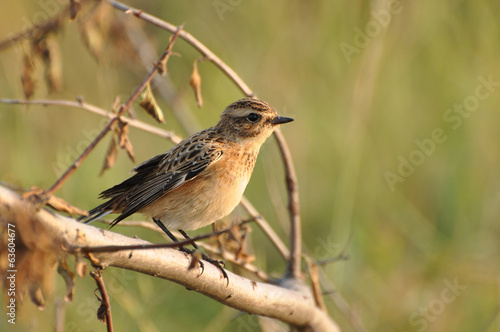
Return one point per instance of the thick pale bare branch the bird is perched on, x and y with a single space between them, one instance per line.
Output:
289 301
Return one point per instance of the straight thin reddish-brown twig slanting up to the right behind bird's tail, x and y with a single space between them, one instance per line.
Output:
58 184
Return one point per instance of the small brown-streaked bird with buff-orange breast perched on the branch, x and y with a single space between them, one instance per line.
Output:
201 179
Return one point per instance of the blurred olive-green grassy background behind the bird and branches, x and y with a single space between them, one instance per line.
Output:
366 96
